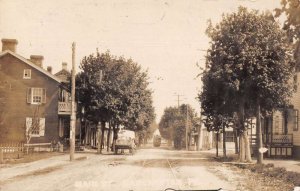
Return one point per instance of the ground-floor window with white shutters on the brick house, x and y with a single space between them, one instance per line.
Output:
35 127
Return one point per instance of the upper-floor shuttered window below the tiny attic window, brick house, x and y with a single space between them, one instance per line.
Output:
36 95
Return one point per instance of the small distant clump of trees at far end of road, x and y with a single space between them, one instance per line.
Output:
174 123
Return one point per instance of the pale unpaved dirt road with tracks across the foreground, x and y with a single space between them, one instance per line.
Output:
148 169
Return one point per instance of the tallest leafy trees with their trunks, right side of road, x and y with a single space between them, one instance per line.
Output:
248 69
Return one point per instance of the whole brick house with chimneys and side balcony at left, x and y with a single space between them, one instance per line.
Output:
28 91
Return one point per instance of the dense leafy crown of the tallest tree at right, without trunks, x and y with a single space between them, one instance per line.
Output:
249 60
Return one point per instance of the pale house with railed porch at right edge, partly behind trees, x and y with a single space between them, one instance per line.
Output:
281 131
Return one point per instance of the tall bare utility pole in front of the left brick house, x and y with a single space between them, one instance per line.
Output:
73 112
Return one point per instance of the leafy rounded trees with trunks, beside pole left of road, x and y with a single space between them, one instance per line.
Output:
114 90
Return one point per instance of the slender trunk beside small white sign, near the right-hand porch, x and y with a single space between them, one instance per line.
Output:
259 135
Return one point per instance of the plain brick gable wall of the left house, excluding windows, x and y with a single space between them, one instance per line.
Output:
15 108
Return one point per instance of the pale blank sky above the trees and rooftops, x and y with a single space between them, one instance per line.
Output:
167 38
